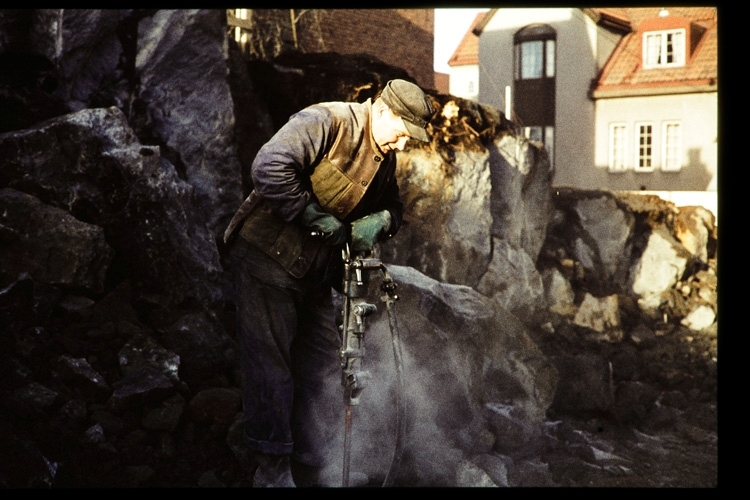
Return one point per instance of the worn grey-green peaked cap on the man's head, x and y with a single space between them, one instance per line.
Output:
410 103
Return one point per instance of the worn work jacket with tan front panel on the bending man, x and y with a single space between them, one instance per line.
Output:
325 154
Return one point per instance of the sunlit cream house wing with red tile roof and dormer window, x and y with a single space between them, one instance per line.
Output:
656 103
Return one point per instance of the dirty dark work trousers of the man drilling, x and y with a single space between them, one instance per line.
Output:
289 357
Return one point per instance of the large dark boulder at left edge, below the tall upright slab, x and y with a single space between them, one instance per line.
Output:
91 165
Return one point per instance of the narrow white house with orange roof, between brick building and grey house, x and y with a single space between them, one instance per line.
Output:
464 64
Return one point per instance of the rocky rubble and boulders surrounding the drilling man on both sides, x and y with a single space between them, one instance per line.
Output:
552 336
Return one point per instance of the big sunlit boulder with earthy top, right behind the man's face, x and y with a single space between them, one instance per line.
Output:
477 204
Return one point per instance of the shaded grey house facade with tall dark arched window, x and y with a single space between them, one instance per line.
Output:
563 46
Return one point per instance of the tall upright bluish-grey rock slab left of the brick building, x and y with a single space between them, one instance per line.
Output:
181 69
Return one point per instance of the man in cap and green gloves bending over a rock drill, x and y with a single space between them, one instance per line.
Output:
325 178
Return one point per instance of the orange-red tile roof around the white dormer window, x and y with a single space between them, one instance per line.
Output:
624 71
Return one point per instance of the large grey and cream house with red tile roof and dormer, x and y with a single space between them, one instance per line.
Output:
621 98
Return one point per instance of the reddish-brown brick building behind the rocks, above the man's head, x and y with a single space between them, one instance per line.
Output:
399 37
